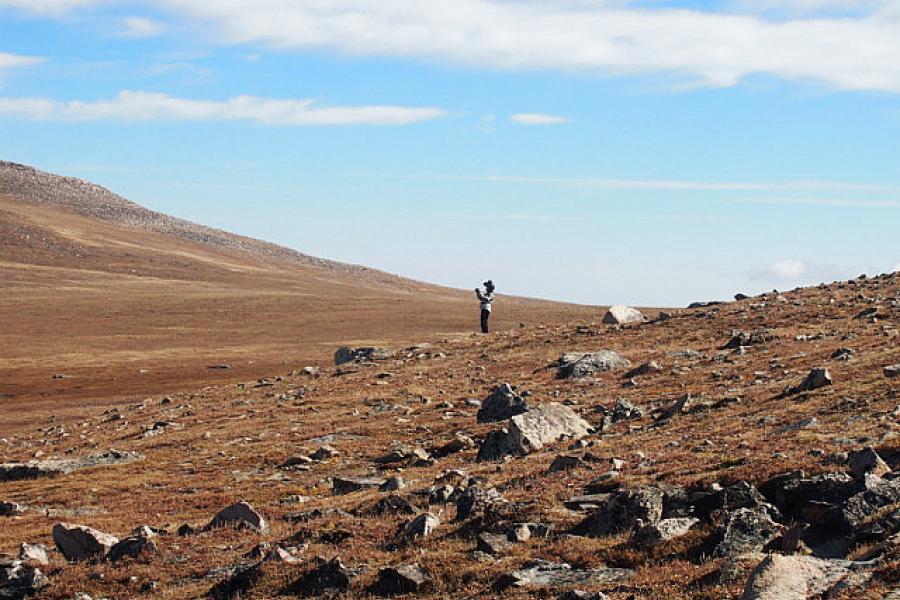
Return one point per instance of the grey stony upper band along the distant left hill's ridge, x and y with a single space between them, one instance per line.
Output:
88 199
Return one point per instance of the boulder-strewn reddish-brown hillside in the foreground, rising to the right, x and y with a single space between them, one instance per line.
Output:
742 450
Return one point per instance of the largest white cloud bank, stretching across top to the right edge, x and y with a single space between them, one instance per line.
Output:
713 48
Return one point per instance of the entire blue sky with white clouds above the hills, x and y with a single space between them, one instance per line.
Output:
598 151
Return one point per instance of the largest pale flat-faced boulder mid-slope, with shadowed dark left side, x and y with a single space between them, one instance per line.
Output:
530 431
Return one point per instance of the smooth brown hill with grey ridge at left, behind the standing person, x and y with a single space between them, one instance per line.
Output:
103 299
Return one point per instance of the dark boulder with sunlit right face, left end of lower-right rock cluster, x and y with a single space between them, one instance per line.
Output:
625 510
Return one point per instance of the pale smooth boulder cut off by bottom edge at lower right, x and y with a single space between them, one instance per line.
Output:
780 577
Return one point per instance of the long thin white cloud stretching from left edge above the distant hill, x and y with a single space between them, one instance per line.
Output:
147 106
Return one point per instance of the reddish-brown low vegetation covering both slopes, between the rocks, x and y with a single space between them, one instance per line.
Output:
74 306
